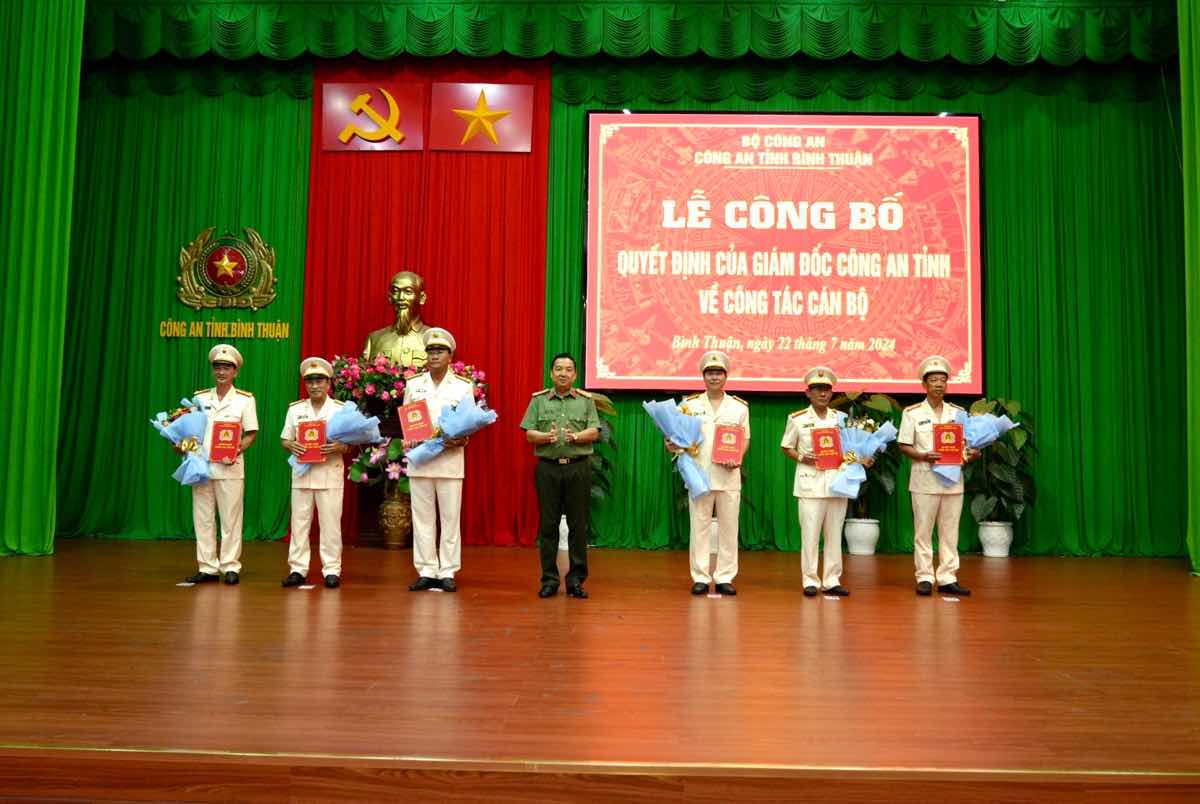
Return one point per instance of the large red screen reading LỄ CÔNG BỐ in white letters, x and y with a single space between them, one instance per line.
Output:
787 242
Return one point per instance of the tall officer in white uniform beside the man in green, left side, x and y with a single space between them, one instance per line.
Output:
436 487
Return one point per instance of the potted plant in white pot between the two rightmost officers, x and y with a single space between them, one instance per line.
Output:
869 413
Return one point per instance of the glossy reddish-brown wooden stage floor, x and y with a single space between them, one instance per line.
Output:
1058 680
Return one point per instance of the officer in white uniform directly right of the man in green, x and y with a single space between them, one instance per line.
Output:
716 407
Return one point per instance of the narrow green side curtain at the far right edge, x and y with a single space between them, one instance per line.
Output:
1190 83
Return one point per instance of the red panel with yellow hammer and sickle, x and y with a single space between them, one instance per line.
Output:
369 117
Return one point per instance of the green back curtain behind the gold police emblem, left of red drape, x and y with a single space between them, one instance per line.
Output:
155 170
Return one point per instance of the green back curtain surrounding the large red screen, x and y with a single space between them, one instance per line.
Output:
1083 303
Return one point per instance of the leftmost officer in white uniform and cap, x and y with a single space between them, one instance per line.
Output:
224 494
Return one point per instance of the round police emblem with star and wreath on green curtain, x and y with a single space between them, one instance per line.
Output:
227 272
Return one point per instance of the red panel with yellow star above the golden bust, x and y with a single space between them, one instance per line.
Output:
482 118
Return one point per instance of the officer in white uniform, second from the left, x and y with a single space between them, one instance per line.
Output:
322 487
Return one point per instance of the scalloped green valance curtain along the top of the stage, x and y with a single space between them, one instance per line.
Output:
970 32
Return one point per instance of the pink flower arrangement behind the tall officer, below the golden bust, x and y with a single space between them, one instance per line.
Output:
377 387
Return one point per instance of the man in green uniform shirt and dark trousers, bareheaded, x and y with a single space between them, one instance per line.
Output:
562 422
